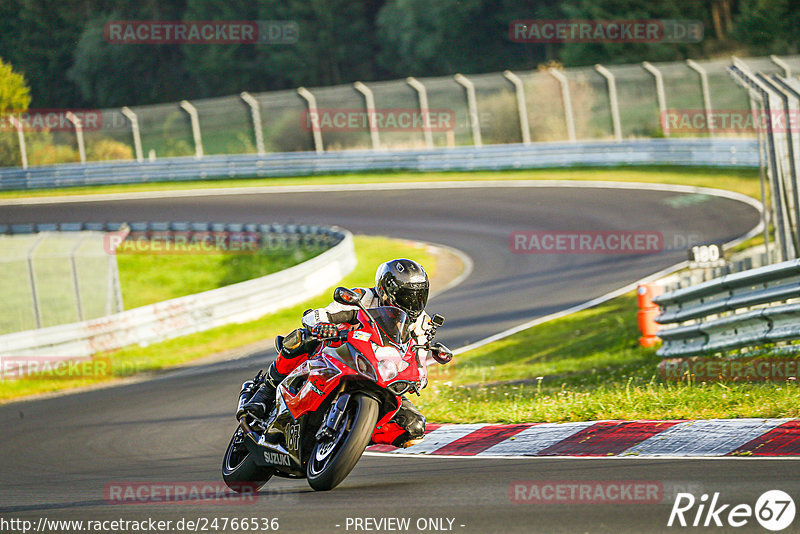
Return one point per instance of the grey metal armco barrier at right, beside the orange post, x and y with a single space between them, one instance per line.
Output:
734 294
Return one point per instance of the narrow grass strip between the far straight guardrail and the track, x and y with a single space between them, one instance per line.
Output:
737 179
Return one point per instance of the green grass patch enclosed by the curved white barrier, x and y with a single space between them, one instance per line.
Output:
149 278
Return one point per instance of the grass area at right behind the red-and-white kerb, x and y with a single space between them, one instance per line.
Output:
587 366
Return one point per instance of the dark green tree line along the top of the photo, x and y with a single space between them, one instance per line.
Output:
61 49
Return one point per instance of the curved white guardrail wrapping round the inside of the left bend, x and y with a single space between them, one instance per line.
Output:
240 302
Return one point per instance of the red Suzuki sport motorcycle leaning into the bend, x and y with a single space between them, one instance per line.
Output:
330 407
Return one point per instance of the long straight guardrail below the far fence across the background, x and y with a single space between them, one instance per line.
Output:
706 151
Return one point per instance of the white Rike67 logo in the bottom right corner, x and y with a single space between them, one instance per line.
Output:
774 510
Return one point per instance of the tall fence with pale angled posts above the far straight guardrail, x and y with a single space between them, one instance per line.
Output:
548 104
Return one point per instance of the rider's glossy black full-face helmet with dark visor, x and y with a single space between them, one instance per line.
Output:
403 283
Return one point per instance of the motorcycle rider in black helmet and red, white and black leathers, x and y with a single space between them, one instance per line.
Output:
402 283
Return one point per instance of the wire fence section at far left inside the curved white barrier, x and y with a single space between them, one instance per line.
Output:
52 278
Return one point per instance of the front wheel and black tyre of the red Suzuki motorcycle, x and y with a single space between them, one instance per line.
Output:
333 460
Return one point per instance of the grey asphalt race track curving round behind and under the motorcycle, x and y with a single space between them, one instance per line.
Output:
58 455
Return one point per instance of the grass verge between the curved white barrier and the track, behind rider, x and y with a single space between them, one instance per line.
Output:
370 252
